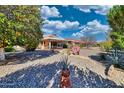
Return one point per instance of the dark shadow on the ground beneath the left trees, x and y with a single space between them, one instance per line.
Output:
19 58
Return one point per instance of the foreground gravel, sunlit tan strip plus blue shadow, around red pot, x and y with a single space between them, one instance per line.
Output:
45 72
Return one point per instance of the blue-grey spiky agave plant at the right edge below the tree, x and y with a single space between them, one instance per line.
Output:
117 58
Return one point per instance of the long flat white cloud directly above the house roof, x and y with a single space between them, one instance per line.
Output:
59 25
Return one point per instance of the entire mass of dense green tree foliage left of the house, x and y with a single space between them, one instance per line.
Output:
20 26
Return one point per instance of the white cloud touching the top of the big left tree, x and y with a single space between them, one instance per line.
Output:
47 12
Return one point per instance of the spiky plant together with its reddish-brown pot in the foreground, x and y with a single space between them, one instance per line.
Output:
65 74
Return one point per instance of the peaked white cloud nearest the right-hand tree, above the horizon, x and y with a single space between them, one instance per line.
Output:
92 28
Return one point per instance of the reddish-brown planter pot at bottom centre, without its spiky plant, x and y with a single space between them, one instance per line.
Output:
65 79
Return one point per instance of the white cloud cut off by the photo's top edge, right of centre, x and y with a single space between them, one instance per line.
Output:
99 9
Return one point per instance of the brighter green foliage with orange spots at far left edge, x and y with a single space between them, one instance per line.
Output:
6 34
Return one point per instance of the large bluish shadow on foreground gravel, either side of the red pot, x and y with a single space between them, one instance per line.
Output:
42 76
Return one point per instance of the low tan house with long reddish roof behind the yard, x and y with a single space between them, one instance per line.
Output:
55 42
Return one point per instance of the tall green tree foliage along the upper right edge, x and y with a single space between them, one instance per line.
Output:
116 21
